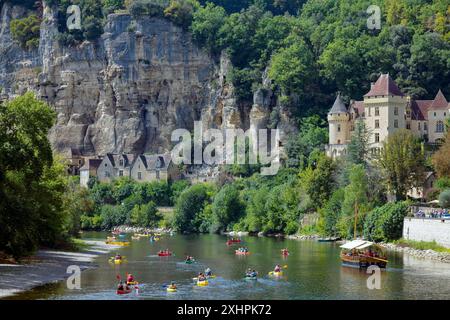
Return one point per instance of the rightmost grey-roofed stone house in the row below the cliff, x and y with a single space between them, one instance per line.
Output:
157 167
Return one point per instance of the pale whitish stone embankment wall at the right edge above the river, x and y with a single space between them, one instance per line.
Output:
427 230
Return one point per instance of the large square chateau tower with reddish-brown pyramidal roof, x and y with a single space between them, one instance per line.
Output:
384 111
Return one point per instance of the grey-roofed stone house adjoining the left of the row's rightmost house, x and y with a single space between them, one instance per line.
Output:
115 166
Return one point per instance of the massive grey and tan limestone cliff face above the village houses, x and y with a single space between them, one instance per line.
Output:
125 92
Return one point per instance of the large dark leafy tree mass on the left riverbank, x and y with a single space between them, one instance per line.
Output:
32 184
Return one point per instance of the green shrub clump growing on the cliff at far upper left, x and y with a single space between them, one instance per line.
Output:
26 31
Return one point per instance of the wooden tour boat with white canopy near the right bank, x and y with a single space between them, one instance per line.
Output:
363 254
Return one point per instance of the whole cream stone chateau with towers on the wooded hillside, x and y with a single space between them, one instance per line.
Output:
384 110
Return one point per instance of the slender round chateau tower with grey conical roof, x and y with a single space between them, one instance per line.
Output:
339 128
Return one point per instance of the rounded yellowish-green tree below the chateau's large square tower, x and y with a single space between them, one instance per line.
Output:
402 162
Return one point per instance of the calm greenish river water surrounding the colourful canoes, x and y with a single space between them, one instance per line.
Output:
314 272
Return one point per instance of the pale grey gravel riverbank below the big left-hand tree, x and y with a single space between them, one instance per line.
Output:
47 266
